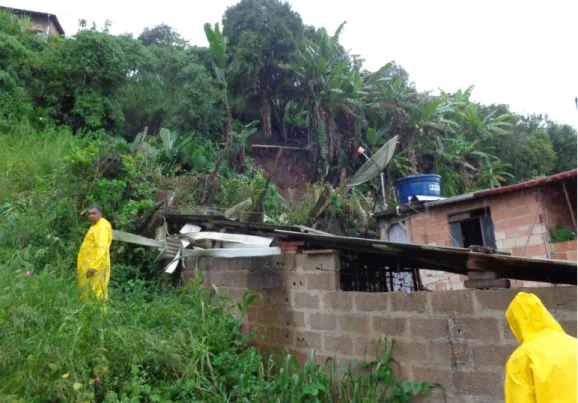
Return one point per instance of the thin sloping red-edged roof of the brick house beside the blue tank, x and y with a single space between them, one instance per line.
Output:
406 208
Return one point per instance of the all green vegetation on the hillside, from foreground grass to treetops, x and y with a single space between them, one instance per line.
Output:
113 119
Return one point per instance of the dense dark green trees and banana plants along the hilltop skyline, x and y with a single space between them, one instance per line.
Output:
295 81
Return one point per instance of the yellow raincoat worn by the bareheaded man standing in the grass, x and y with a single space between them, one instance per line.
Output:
95 254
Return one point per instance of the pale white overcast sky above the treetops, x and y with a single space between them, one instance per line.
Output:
521 53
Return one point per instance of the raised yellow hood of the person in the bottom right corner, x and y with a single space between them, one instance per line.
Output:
528 316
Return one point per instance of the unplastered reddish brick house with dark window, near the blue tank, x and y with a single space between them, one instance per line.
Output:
517 219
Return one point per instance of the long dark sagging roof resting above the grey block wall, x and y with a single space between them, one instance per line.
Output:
453 260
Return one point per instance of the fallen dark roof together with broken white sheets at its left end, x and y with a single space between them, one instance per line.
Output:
219 237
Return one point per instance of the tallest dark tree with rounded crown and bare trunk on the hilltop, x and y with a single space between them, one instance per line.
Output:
262 34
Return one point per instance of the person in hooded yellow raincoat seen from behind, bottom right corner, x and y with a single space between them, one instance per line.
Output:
543 368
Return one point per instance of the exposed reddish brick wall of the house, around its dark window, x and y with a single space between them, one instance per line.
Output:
512 215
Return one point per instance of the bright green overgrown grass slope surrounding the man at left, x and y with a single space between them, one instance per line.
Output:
155 343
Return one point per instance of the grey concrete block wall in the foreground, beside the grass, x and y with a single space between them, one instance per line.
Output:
459 339
